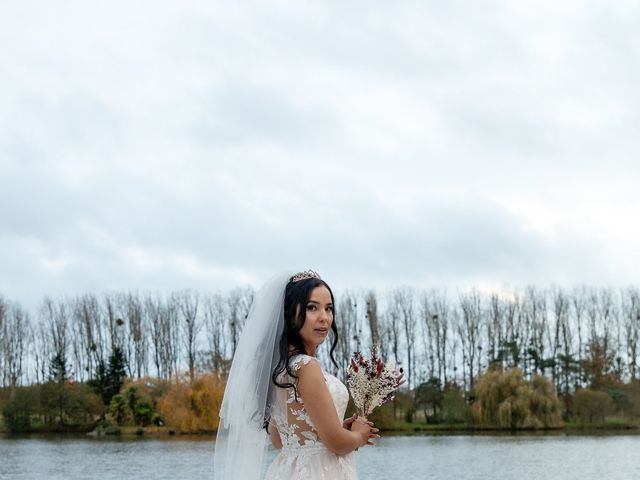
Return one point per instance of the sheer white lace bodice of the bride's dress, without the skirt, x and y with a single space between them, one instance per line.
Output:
294 425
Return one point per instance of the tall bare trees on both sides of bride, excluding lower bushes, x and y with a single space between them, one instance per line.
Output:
576 337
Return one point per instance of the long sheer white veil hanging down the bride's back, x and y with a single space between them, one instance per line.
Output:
241 441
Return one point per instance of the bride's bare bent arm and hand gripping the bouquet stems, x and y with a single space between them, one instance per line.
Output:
321 410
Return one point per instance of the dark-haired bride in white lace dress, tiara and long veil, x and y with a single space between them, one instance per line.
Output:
277 383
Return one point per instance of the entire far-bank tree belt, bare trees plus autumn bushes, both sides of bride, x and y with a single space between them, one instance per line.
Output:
530 358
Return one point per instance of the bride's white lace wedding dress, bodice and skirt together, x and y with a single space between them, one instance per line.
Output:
303 455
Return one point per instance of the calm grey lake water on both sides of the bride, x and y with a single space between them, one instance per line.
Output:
429 457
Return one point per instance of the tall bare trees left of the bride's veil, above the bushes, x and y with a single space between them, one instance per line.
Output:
157 336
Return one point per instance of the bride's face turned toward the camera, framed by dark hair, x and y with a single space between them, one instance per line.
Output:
319 317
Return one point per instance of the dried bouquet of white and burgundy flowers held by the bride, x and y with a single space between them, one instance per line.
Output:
371 382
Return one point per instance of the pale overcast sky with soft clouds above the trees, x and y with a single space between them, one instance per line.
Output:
161 145
